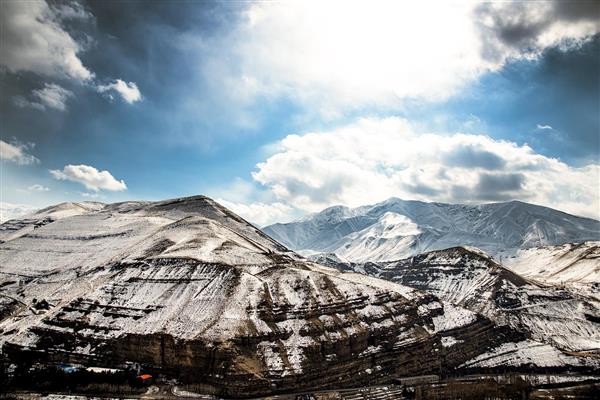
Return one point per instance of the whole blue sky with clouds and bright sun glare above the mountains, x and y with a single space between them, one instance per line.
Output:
279 109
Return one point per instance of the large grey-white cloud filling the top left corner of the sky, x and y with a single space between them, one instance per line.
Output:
34 40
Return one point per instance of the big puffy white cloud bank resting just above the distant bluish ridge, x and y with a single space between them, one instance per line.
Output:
374 159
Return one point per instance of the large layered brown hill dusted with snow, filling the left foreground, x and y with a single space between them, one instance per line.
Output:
186 288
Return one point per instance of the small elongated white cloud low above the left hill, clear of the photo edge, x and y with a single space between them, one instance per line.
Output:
90 177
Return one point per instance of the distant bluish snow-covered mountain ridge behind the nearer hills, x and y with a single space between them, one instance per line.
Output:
396 229
